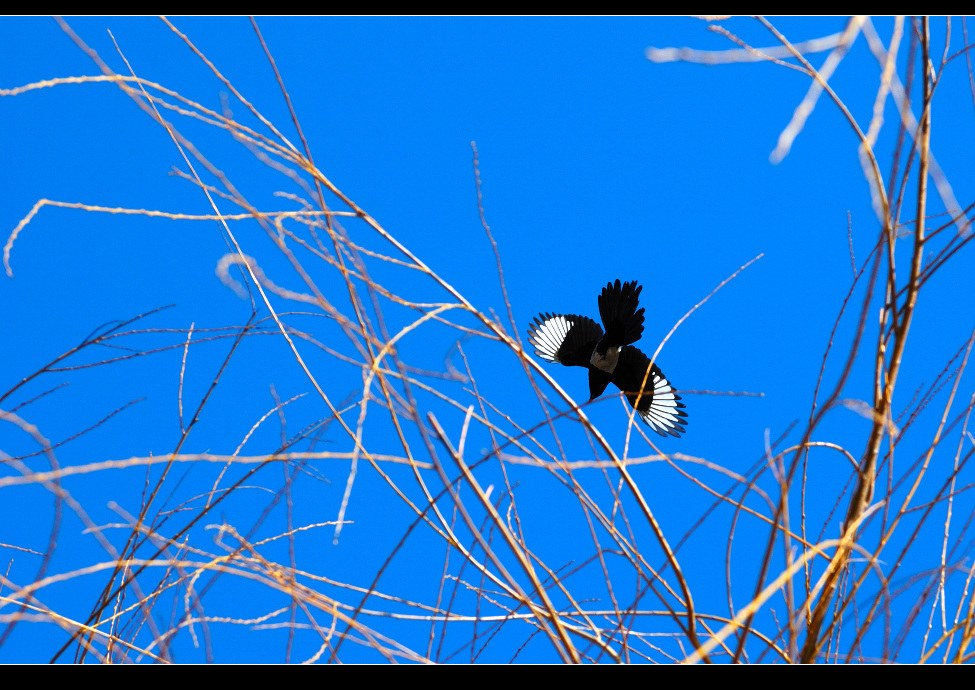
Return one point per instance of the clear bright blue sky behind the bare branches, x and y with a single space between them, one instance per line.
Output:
595 163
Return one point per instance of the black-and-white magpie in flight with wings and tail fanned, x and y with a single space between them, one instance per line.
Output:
610 356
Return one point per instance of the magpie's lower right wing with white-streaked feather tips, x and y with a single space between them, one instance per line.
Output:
658 404
